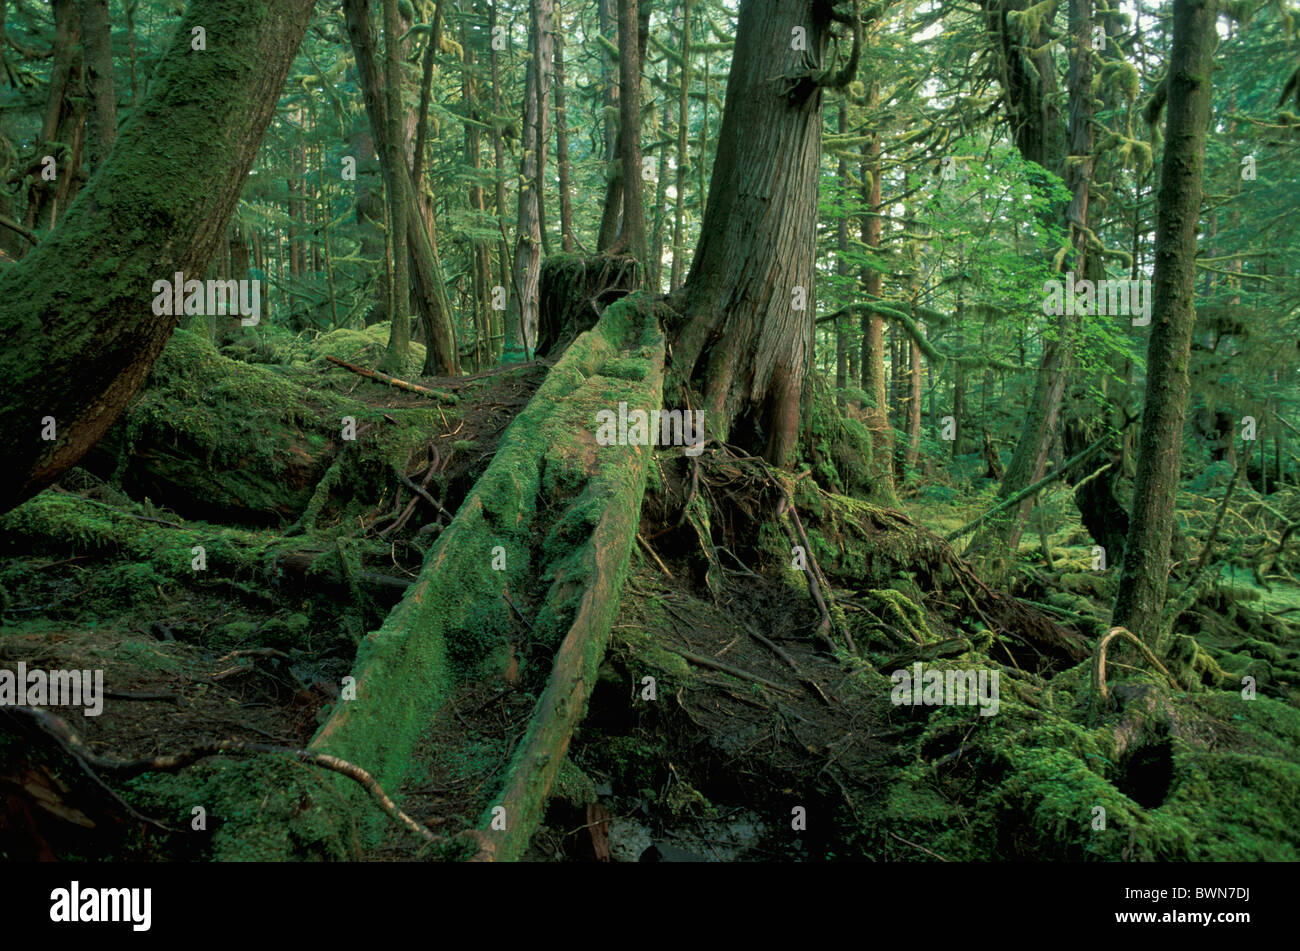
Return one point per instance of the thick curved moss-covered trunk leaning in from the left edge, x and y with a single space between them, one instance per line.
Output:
76 314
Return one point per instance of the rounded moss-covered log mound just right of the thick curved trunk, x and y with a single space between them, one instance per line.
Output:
220 440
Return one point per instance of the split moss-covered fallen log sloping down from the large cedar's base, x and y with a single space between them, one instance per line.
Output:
547 532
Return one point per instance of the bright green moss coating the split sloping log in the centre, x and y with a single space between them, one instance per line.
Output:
456 618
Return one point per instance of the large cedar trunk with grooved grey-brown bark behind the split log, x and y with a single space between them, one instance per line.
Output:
748 301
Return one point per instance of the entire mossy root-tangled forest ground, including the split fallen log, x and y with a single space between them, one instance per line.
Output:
766 728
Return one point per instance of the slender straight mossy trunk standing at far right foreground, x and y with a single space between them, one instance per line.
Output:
1146 567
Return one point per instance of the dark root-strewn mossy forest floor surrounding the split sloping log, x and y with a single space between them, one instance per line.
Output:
720 727
